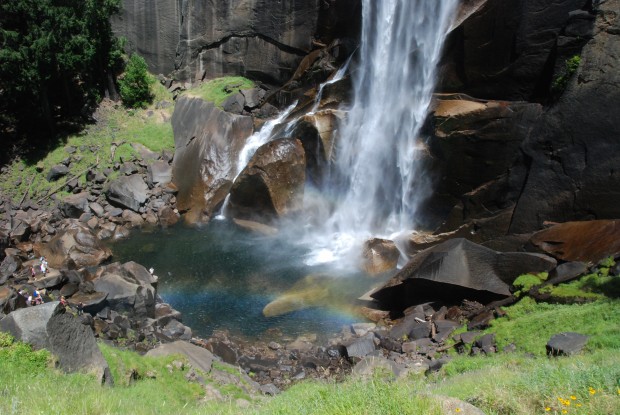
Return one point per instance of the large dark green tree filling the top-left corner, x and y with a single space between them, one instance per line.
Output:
57 59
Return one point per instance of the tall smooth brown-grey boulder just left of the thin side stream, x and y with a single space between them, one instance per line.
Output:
207 145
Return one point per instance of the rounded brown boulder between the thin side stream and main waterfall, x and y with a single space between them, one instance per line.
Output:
272 183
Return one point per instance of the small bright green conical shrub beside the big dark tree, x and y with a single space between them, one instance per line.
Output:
135 84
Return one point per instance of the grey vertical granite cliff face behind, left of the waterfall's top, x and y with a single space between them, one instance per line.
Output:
260 39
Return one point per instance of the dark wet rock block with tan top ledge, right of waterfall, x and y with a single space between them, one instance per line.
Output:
474 149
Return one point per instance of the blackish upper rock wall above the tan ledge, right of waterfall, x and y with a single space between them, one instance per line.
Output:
506 49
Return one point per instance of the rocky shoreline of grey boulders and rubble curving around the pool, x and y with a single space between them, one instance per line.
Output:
122 307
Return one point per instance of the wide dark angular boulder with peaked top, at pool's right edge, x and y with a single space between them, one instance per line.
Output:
455 270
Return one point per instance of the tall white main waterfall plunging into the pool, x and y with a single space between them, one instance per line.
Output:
376 183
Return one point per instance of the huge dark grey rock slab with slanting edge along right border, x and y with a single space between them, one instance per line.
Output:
573 150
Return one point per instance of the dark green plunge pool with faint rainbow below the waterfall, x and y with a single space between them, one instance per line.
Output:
220 277
